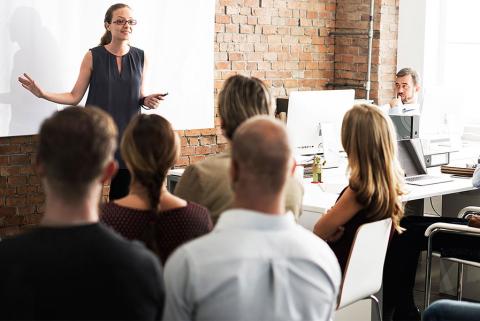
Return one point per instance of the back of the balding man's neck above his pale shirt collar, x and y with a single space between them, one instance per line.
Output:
273 205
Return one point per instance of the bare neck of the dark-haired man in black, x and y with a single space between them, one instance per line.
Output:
59 212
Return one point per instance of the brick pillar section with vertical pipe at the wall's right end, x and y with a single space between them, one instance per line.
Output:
351 52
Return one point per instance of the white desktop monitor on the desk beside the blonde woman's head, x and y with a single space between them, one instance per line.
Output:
309 111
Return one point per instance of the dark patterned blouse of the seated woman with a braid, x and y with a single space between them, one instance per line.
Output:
162 232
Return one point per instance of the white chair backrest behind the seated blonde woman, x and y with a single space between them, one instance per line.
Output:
364 270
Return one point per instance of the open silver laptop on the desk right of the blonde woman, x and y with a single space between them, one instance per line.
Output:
410 155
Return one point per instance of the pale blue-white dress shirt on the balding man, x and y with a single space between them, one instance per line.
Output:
252 266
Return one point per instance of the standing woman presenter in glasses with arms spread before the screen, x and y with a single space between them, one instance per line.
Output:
115 72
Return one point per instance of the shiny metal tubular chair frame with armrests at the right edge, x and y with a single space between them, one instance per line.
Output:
449 228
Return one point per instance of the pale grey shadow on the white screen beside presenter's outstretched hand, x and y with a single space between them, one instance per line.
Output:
39 56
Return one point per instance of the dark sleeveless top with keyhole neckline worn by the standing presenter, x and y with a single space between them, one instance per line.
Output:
116 92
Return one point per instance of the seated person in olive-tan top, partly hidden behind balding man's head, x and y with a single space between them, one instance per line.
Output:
207 182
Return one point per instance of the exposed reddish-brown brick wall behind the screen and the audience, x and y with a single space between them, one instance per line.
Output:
286 43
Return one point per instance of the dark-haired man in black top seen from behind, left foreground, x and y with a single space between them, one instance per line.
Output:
72 267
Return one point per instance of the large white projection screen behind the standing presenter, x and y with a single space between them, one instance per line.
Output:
47 39
